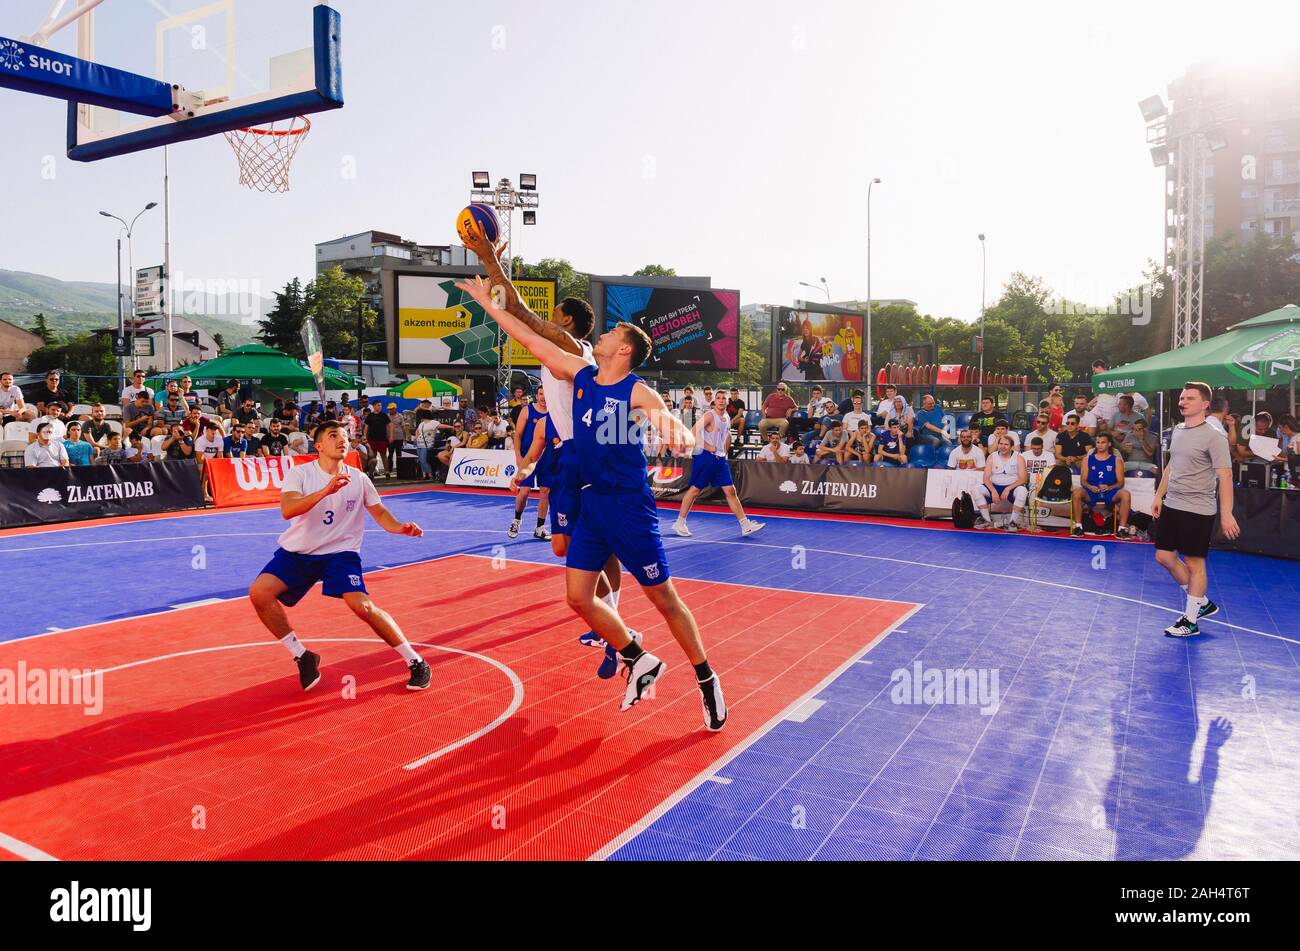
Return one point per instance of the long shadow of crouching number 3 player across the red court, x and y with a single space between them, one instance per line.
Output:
110 744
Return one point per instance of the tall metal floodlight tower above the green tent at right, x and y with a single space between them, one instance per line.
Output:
1185 140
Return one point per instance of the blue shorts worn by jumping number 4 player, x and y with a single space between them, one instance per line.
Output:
625 526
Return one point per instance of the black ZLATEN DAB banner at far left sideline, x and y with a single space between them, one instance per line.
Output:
34 497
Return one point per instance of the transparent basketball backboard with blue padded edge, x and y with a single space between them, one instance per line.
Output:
240 63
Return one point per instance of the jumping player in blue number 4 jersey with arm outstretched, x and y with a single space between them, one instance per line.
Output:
618 516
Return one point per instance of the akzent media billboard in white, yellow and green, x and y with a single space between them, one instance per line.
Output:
435 325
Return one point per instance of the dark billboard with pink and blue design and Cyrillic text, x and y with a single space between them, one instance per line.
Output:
691 329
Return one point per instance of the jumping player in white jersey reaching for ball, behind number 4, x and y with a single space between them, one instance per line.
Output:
570 327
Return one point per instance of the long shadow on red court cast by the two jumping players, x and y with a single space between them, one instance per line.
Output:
466 788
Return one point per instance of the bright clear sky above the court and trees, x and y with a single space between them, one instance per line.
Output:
717 137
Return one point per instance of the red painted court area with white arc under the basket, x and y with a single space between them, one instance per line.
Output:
216 754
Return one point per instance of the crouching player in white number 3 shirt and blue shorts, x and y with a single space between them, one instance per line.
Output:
324 503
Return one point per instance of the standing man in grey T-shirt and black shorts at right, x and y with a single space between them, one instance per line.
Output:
1185 506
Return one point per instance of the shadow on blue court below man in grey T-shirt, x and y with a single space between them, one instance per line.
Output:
1154 809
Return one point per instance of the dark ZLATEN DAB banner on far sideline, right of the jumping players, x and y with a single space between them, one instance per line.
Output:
816 488
